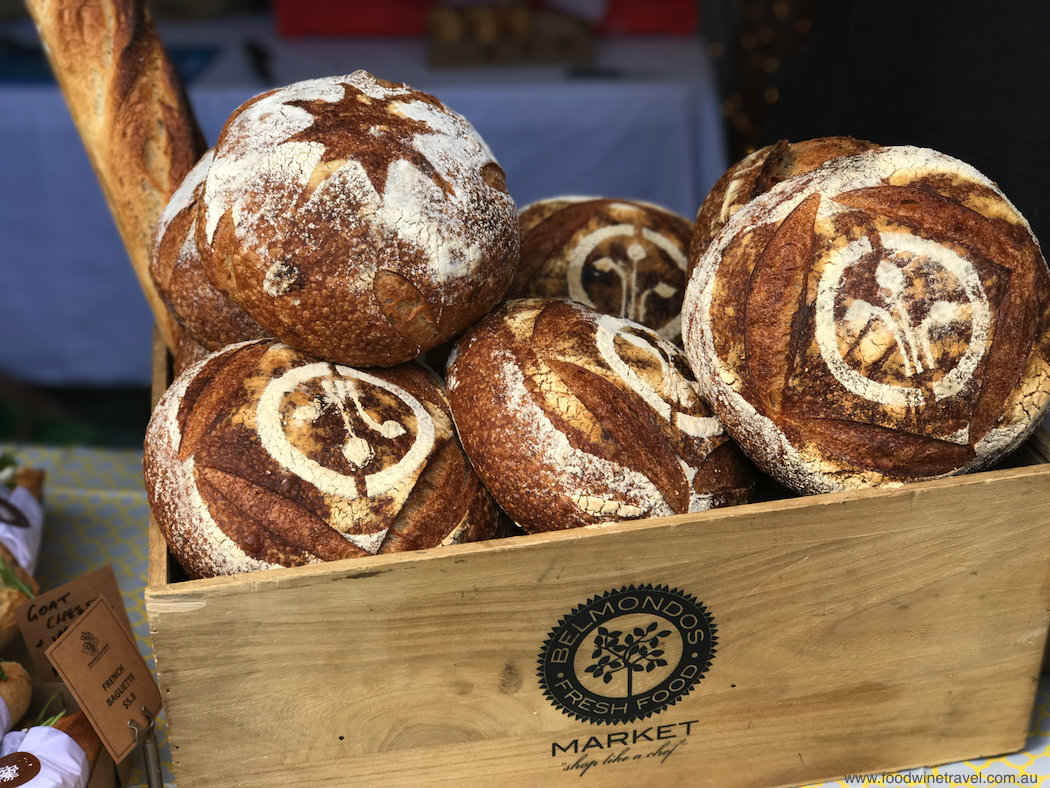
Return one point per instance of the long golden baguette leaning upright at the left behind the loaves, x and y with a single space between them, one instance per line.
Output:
131 109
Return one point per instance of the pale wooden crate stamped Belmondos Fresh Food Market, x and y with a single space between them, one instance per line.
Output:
852 633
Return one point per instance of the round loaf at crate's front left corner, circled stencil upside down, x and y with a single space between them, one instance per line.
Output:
262 457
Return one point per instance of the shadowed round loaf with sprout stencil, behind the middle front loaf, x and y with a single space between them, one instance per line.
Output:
622 258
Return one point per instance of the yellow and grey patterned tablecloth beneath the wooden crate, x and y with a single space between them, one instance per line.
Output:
97 514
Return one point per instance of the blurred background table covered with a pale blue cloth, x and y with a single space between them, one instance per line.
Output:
641 121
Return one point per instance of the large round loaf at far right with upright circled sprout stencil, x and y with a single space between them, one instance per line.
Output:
883 319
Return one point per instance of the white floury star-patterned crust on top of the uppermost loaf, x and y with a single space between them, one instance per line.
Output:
265 143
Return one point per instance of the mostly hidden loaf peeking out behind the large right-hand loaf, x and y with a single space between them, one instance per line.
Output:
758 174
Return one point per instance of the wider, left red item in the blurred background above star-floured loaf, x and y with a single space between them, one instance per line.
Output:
394 18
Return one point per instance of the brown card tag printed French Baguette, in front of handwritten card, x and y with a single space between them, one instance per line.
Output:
99 662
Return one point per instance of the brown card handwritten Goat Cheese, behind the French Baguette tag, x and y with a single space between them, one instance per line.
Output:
45 619
